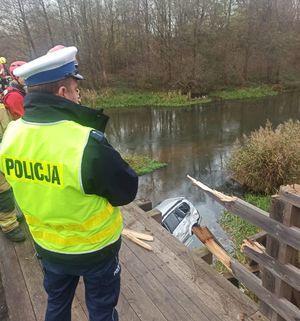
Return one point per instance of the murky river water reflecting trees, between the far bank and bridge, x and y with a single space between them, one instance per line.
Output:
197 141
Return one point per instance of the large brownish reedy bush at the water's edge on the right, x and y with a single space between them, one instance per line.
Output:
268 158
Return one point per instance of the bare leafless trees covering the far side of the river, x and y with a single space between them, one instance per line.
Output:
195 45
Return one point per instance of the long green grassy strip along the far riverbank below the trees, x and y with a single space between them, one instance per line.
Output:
123 97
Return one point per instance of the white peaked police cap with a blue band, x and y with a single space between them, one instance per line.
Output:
49 68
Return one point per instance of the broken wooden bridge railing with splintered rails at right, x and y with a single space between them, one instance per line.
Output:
279 287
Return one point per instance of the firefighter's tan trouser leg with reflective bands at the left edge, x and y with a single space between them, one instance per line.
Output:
8 214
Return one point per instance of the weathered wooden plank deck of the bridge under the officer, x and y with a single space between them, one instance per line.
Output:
170 283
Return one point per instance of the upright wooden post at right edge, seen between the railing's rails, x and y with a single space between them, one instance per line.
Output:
289 215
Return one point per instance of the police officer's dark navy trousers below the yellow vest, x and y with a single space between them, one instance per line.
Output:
102 289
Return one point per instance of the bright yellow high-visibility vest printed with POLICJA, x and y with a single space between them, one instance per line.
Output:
42 162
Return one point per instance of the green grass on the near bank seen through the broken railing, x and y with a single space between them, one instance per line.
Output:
239 229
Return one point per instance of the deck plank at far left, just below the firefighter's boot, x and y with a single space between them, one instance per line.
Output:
16 293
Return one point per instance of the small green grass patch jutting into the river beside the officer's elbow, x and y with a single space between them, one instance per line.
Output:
142 164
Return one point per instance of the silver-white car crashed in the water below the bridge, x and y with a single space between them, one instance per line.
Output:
178 217
